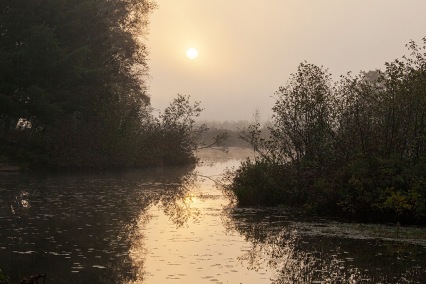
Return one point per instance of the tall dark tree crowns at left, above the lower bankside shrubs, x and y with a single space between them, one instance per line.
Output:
64 57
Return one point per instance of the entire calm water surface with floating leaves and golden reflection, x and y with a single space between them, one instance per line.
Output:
175 226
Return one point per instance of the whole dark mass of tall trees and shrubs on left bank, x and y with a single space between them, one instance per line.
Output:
73 92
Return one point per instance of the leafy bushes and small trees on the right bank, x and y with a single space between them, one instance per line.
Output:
354 148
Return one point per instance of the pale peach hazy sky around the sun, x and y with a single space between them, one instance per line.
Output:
247 48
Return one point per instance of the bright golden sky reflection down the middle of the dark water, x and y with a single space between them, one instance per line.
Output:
187 242
